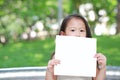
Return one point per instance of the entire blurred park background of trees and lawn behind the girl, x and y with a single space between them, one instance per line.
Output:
28 29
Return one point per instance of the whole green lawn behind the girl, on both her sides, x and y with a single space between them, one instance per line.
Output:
37 52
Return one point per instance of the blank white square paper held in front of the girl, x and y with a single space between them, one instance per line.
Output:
76 55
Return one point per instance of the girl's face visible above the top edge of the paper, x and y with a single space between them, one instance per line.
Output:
75 27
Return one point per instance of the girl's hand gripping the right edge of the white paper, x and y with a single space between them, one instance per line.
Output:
101 60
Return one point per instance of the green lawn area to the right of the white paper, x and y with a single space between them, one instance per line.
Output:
110 47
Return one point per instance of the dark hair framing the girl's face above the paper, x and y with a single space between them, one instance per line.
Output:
68 18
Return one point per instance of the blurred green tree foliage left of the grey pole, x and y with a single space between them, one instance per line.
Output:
16 16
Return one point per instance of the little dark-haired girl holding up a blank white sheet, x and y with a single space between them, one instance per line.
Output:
76 25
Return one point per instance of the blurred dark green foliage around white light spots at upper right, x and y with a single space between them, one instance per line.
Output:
108 5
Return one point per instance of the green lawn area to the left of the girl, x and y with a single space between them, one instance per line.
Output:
26 53
